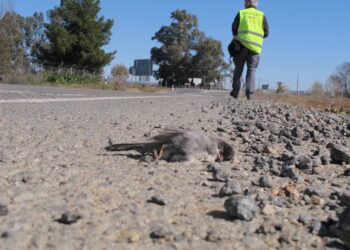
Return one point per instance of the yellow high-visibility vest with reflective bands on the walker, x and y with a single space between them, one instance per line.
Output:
250 31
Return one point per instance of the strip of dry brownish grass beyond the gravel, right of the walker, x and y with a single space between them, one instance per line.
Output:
318 102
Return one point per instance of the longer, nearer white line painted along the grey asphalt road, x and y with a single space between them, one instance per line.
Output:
84 99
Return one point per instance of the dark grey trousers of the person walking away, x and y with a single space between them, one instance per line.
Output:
250 58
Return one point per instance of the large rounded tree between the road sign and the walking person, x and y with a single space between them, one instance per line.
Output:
185 52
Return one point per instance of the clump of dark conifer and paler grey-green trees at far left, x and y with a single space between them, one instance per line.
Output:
73 35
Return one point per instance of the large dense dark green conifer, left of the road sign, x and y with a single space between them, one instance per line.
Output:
75 35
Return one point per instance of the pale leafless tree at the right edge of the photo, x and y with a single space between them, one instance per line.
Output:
339 83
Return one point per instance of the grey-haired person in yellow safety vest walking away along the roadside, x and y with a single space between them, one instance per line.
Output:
249 28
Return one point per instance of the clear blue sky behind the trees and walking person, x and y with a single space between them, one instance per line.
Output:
307 37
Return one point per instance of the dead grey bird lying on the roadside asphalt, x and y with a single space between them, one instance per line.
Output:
176 145
